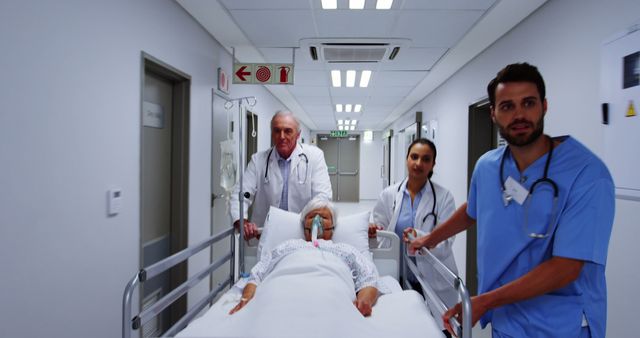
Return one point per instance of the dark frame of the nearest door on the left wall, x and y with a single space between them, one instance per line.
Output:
179 228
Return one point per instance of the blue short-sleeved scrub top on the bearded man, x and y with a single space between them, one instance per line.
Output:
580 229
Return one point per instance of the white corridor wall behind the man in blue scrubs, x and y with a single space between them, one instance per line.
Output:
563 38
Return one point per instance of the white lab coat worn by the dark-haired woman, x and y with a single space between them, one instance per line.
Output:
386 216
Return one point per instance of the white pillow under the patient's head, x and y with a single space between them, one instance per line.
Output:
282 225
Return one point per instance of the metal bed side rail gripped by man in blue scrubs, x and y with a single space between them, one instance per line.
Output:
456 282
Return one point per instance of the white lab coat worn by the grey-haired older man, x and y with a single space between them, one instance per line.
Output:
264 194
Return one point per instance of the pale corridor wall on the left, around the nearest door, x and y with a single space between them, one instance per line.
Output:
69 130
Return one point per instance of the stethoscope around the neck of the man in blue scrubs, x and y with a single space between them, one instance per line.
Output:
507 198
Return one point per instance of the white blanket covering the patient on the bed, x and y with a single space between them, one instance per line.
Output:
310 293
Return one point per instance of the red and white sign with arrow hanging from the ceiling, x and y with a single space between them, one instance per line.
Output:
263 73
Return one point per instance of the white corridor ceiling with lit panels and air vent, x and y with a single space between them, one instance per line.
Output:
437 37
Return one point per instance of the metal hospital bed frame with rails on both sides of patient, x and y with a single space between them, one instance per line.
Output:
386 256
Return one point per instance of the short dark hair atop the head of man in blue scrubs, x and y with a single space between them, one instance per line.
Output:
516 72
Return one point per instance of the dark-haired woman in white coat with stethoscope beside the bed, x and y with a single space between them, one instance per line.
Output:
417 202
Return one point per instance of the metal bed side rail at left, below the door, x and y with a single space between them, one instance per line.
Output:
130 323
